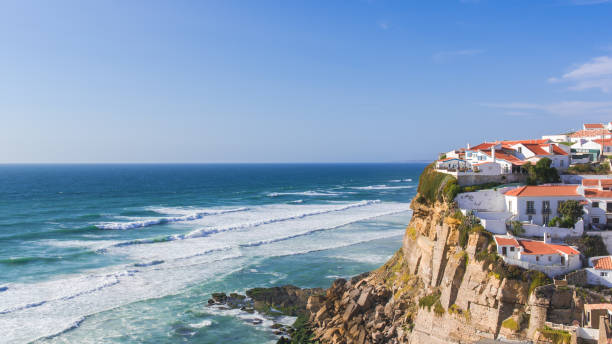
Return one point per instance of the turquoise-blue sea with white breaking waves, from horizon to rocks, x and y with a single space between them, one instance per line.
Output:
131 253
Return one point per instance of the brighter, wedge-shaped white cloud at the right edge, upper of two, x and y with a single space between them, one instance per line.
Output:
595 74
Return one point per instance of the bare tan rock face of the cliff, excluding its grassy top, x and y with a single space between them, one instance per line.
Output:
431 291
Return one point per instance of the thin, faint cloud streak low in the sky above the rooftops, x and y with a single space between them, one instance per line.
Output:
563 108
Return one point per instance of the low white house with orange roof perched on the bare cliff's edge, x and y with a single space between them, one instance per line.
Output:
551 259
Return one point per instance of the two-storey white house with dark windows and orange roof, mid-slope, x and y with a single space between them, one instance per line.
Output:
537 204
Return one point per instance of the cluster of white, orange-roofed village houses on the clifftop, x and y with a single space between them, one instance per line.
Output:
524 216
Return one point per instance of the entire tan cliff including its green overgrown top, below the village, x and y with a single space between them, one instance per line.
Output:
445 285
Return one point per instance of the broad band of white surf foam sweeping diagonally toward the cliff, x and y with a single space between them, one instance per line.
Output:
54 306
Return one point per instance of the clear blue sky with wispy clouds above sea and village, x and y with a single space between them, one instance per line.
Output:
294 81
